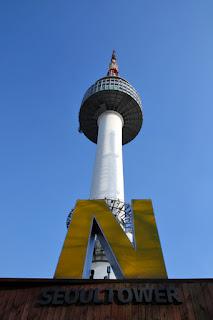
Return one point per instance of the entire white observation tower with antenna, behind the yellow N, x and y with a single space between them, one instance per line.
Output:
110 116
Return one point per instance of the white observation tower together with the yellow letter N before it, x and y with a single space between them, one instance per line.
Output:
108 238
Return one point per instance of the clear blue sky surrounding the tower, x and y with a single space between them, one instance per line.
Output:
51 52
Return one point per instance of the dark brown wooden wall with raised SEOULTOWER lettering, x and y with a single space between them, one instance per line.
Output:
135 299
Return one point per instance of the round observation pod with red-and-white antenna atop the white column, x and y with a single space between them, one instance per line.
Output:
111 93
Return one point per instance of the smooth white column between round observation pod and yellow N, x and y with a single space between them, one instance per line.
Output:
108 180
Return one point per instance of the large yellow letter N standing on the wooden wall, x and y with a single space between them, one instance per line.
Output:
90 217
